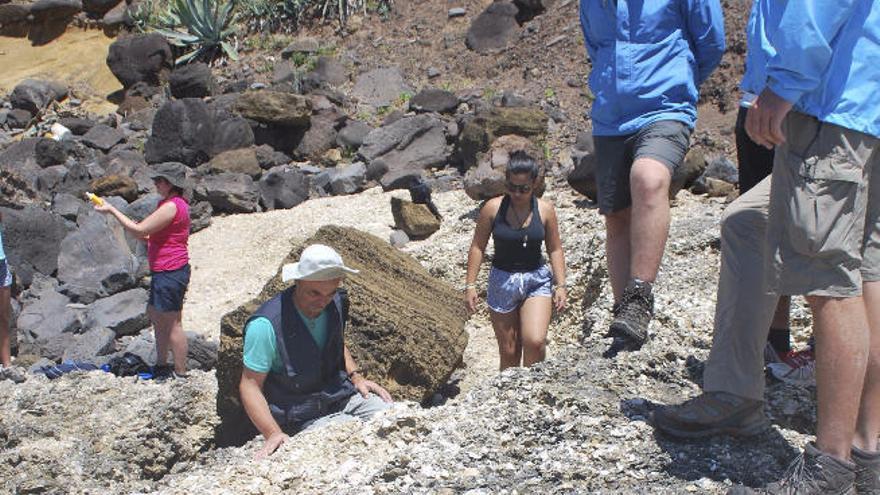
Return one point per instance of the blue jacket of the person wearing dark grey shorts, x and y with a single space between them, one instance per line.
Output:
649 58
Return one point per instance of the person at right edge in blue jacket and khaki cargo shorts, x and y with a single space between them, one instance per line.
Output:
820 112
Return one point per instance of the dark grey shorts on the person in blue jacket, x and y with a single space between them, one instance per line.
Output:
666 141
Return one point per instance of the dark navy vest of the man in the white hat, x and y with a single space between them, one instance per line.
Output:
314 382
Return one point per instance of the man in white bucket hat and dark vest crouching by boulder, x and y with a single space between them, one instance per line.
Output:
297 371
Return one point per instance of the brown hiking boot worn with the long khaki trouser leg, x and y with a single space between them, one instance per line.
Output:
712 413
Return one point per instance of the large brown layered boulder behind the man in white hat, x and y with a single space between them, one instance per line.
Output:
406 326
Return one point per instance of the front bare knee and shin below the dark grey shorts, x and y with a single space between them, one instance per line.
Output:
649 228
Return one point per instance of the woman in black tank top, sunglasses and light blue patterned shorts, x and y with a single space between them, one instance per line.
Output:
519 293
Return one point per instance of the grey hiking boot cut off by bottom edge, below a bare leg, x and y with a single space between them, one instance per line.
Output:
812 473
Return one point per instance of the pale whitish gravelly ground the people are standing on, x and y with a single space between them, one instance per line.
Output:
574 424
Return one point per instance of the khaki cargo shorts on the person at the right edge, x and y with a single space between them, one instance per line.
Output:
823 234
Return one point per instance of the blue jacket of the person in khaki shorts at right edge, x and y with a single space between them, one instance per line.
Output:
827 61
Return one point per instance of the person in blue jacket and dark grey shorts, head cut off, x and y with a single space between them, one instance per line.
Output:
648 61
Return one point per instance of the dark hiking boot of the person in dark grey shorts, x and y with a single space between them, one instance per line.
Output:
633 314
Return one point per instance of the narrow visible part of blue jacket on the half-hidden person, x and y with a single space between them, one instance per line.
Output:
763 23
